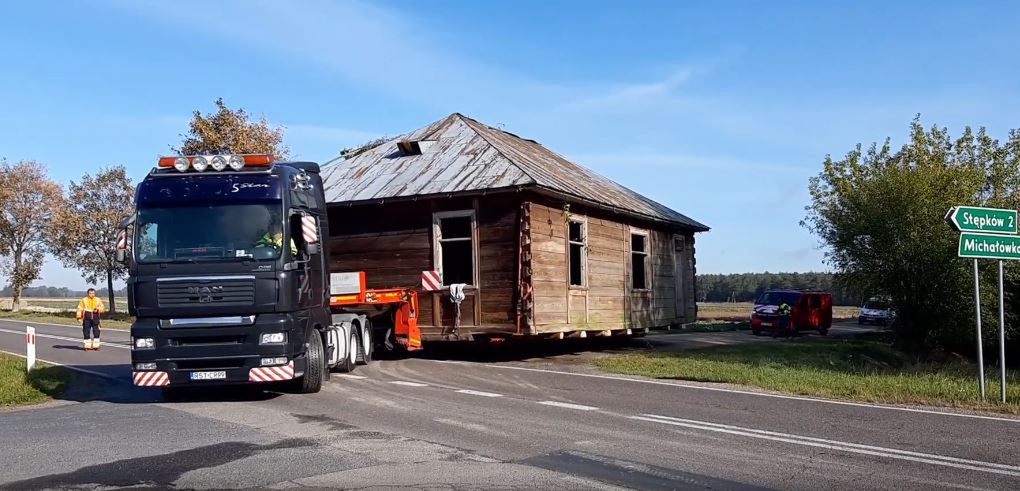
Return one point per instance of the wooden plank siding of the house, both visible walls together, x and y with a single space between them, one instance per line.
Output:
393 243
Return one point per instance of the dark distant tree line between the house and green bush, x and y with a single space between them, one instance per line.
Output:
746 287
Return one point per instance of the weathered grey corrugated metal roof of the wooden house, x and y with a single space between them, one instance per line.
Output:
464 156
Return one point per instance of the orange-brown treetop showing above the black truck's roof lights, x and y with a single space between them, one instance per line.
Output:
230 131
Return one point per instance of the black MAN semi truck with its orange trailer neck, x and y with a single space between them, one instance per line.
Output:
230 283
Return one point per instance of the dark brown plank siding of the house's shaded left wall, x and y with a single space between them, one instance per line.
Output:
394 243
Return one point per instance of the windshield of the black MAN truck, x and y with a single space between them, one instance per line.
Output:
210 233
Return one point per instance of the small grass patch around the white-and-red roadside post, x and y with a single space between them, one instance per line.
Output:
19 388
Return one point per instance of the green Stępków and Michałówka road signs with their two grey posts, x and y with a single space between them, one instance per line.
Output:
988 234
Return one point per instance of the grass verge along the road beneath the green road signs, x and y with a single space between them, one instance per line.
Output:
866 371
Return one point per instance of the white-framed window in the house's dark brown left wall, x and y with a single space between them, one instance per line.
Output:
455 247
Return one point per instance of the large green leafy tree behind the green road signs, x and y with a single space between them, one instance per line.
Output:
880 214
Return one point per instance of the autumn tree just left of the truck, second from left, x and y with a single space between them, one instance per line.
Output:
85 228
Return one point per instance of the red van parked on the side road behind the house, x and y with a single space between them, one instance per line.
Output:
809 312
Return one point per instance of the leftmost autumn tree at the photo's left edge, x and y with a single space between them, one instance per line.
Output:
28 202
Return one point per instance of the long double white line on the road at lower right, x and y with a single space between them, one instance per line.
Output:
838 446
